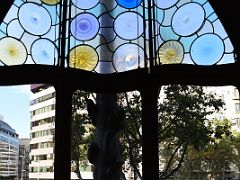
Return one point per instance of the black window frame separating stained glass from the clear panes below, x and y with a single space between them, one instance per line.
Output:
67 80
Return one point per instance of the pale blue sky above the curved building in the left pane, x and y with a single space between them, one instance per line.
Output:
14 107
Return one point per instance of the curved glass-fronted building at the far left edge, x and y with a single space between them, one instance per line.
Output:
9 147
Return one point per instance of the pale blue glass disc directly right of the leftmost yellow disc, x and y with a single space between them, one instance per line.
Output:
44 52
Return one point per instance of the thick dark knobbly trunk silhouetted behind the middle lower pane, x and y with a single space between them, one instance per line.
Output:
104 152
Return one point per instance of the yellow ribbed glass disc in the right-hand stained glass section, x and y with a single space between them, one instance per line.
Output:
171 52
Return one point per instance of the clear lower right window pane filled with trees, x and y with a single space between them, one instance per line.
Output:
199 132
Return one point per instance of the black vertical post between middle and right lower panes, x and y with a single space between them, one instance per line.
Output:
150 157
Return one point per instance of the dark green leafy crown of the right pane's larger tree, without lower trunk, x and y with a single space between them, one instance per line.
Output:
182 115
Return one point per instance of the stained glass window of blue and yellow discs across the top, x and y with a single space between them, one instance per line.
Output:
106 36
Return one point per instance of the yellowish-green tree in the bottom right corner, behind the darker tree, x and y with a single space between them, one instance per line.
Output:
216 157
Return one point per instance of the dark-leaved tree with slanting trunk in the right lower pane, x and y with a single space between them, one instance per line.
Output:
183 123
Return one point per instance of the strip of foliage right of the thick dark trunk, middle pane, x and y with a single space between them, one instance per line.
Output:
132 135
